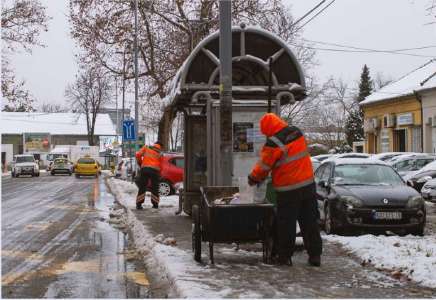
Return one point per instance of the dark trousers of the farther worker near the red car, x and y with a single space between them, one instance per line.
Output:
145 175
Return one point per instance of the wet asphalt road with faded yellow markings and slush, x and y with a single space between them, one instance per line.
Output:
57 243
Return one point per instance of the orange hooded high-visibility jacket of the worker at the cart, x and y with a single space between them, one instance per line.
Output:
285 154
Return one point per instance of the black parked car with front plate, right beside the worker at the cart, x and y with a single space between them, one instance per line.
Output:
364 194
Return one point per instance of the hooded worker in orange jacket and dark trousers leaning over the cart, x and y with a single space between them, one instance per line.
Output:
285 154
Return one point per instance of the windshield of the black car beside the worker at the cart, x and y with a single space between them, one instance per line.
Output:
366 174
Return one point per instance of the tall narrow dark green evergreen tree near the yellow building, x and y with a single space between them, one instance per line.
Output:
354 124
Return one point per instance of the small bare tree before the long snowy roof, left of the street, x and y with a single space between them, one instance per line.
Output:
87 94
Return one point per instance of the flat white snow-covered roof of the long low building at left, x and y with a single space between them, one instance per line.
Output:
53 123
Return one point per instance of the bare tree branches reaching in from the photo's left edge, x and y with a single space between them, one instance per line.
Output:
22 22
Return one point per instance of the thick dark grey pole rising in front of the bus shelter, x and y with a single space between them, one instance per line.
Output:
225 52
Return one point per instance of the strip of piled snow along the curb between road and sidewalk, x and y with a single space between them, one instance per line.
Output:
188 278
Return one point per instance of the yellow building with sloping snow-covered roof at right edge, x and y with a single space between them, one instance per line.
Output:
401 117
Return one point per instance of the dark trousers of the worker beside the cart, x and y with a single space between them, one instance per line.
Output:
298 205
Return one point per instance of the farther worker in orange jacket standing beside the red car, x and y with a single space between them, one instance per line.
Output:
149 158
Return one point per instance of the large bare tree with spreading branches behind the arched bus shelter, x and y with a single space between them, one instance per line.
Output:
168 31
